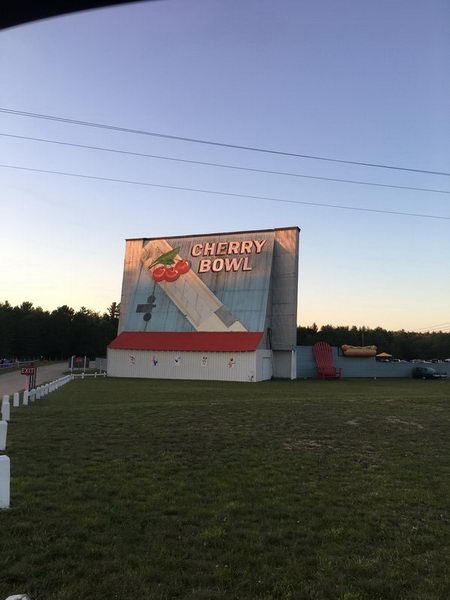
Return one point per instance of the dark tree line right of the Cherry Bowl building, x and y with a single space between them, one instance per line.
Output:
402 344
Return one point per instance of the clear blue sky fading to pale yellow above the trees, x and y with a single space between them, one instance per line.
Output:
350 80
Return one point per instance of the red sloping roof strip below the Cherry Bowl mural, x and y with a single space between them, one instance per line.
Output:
194 341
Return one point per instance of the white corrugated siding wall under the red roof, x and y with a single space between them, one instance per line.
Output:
189 366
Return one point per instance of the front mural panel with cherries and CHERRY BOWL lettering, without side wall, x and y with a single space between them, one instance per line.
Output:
201 284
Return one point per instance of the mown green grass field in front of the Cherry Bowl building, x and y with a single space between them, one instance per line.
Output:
308 490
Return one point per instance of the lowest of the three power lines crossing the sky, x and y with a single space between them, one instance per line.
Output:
230 194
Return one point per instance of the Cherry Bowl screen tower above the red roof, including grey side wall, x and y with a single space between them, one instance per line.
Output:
244 281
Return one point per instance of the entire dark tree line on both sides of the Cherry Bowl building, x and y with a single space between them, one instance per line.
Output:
29 332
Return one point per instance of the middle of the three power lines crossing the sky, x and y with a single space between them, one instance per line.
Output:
224 166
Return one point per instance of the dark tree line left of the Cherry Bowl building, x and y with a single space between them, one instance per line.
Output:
28 332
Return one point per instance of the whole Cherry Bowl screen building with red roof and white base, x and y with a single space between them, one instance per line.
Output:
207 293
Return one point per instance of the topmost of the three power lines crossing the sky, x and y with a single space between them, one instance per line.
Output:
213 143
